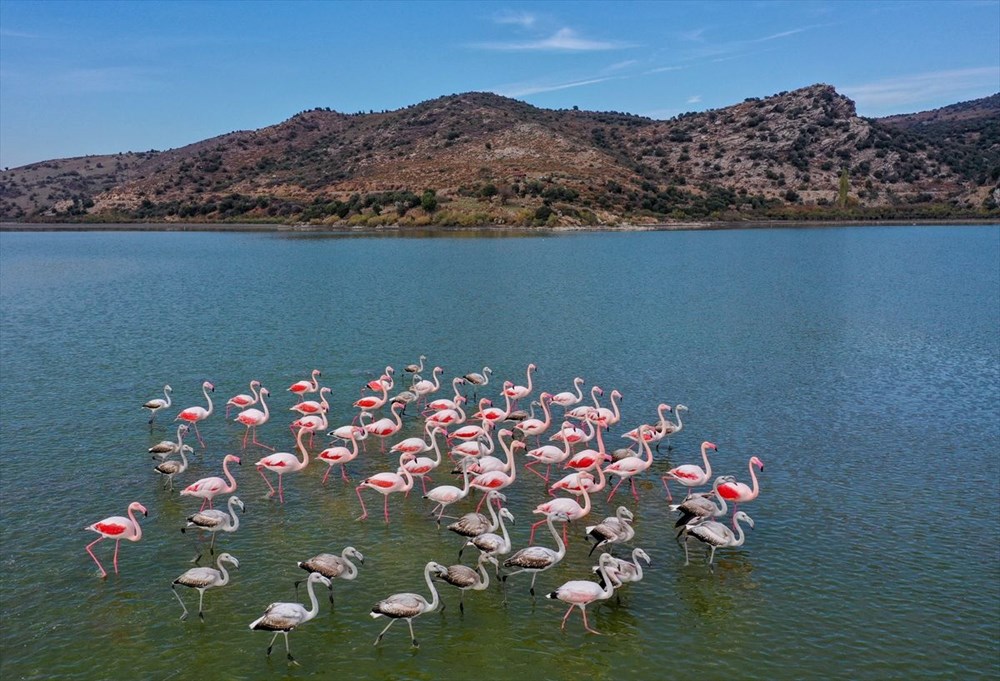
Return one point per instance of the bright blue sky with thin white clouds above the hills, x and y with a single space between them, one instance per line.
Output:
80 78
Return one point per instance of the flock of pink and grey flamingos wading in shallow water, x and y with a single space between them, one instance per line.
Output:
483 448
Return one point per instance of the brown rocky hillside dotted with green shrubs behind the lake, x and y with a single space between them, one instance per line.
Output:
478 158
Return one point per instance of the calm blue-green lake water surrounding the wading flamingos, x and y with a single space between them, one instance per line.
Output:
861 364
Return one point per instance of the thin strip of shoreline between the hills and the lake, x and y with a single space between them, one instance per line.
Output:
495 229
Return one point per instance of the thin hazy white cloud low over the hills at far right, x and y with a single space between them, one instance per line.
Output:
923 87
